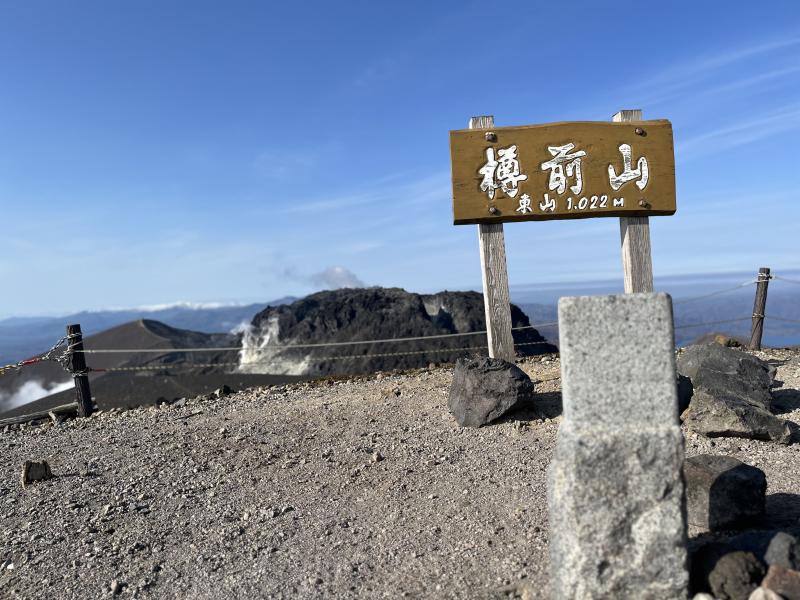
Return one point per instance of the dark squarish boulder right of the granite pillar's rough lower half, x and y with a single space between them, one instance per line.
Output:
722 492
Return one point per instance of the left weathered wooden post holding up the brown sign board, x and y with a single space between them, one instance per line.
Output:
494 274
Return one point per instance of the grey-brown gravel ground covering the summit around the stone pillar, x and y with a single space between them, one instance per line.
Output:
355 488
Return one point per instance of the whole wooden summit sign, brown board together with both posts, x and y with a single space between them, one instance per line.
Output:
575 170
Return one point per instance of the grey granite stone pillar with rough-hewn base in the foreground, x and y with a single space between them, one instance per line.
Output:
615 490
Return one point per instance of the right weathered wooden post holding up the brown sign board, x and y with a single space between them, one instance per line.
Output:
637 262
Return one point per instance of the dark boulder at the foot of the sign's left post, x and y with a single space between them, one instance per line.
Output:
484 389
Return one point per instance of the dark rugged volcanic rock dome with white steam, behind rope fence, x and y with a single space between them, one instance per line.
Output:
347 315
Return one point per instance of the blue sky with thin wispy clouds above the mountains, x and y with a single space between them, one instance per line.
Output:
155 152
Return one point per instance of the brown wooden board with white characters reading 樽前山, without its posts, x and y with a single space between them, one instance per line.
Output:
569 170
